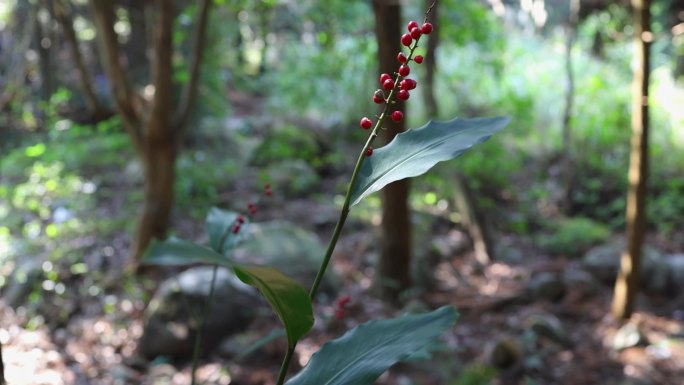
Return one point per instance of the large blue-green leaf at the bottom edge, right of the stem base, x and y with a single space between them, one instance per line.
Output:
365 352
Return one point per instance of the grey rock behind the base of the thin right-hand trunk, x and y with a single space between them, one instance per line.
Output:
603 262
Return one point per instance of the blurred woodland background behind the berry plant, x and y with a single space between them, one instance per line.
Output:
123 121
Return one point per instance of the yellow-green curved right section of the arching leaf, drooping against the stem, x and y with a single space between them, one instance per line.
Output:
287 298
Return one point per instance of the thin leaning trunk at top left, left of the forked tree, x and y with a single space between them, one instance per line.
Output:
94 107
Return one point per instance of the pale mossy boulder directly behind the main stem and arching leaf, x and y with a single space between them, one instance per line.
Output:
292 250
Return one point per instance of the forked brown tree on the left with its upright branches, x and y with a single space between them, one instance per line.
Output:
155 127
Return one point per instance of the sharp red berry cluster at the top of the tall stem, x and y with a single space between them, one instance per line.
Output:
400 86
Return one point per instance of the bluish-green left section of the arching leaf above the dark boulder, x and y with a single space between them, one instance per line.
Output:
177 252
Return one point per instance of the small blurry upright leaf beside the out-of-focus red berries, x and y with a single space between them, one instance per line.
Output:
219 227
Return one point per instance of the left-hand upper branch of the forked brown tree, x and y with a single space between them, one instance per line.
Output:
103 12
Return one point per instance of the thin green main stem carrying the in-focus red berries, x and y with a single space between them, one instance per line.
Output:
344 212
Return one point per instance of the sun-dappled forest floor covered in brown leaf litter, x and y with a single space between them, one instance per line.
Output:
496 326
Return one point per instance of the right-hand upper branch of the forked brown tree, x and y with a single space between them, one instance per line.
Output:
190 90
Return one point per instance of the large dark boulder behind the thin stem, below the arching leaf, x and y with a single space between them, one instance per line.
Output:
169 328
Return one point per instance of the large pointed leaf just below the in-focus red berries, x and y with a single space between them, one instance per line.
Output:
414 152
